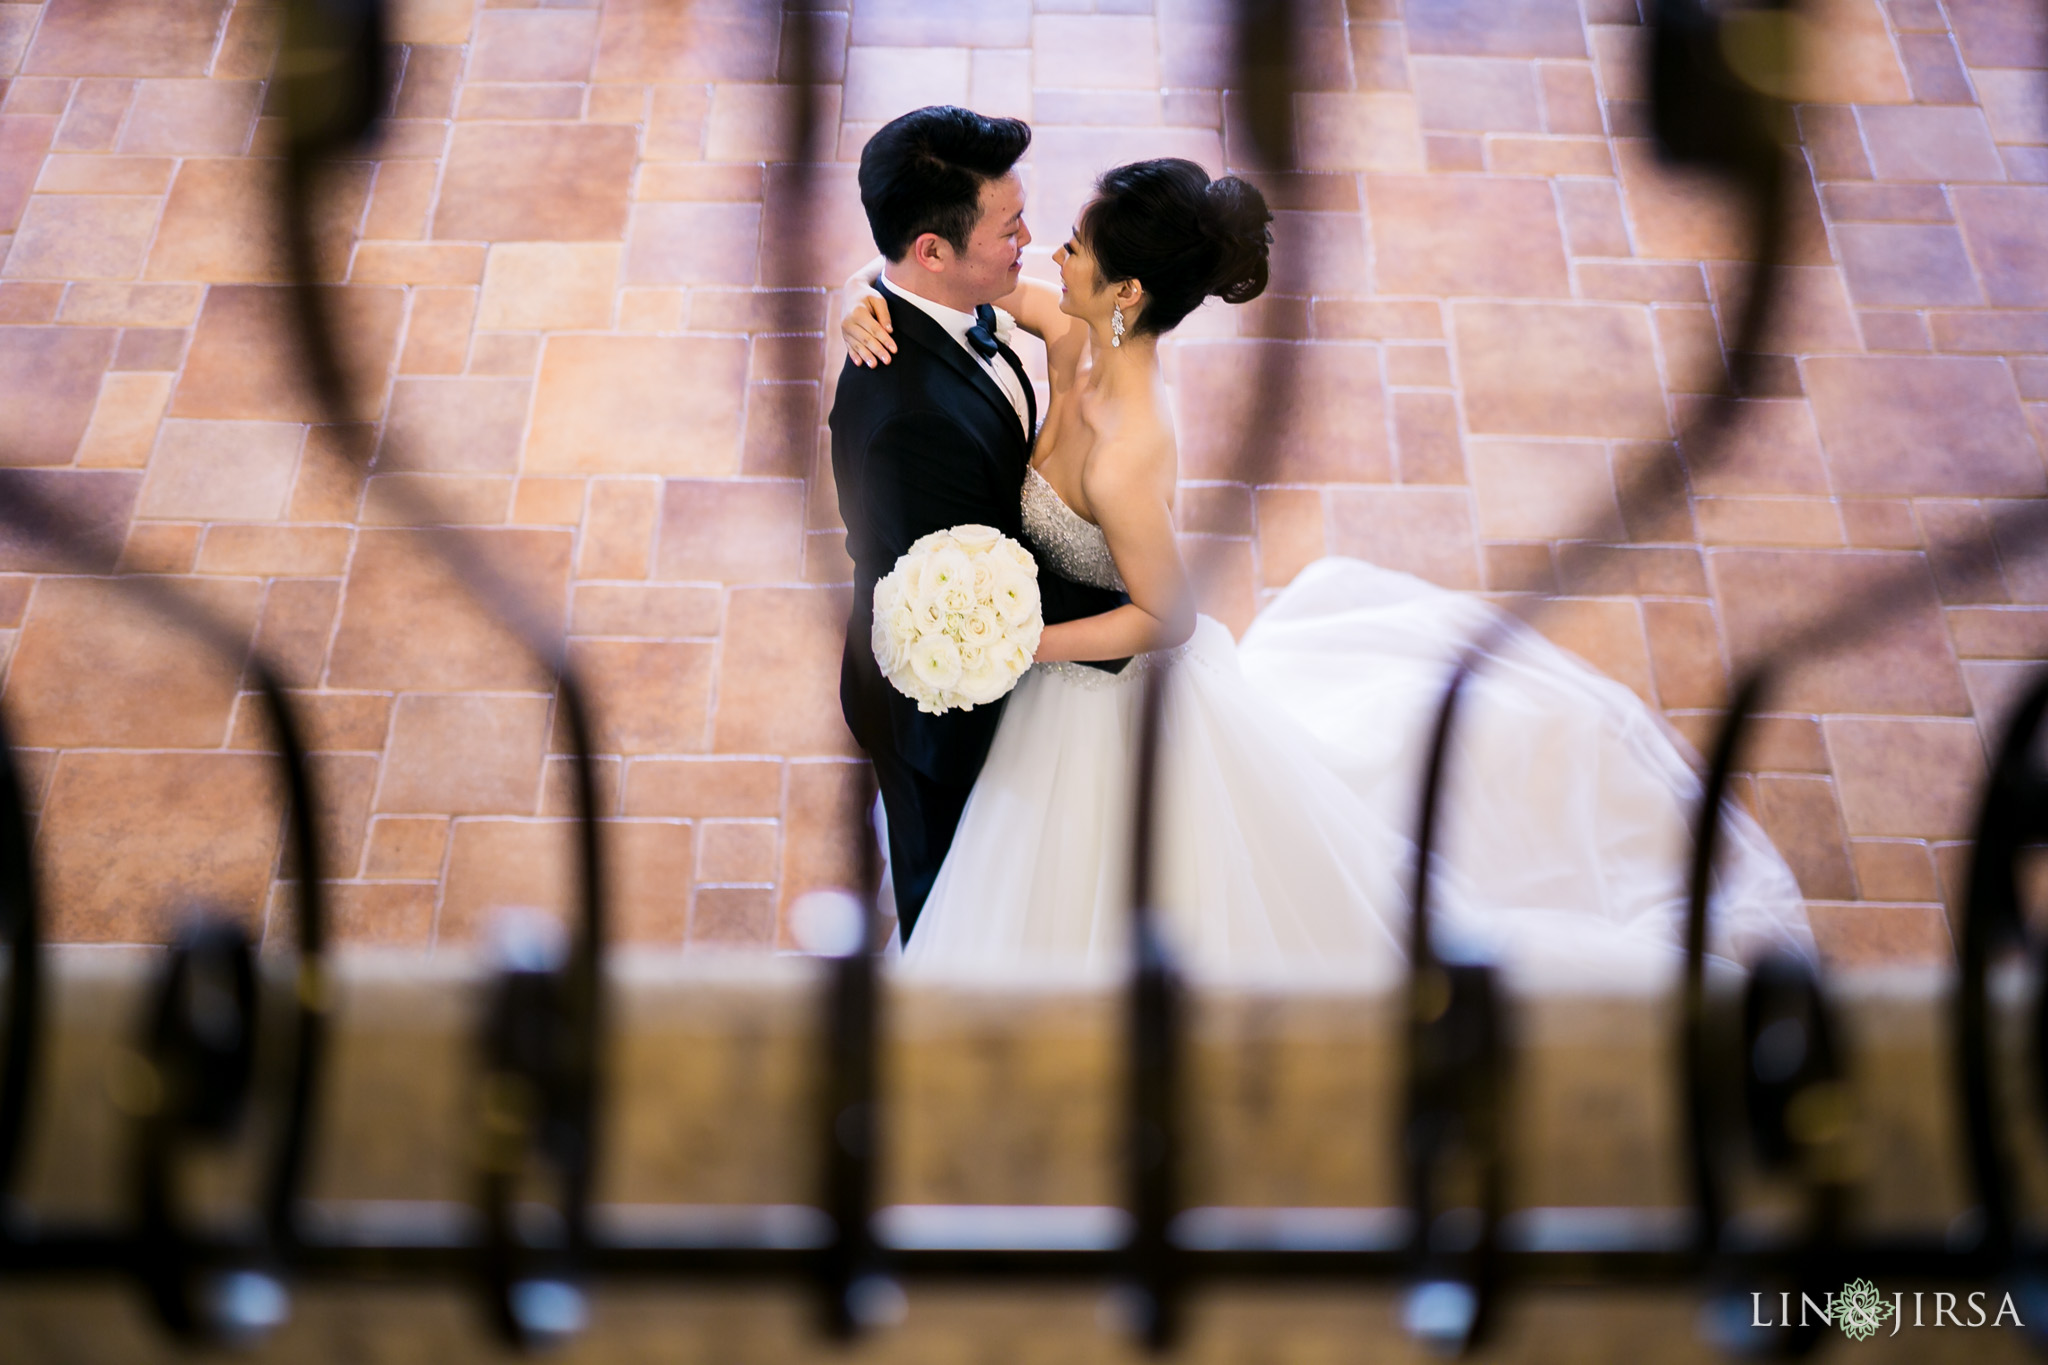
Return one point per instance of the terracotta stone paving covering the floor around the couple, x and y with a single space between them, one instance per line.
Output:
587 316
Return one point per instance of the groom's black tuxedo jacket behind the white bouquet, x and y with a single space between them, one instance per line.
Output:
921 445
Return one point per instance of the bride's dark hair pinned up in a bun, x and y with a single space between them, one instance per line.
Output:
1179 234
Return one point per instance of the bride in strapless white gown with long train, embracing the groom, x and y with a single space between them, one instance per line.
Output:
1291 762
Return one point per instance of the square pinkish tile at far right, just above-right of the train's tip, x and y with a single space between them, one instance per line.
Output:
1908 779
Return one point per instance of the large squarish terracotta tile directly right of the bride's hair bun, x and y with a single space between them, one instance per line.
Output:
1465 236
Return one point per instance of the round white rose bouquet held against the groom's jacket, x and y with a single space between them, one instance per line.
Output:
957 621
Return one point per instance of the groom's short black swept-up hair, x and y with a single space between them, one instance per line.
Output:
925 173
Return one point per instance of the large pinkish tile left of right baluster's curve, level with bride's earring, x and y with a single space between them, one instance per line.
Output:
1560 369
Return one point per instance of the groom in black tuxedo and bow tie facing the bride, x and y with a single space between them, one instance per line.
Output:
937 439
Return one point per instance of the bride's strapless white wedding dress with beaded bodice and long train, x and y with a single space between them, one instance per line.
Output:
1291 770
